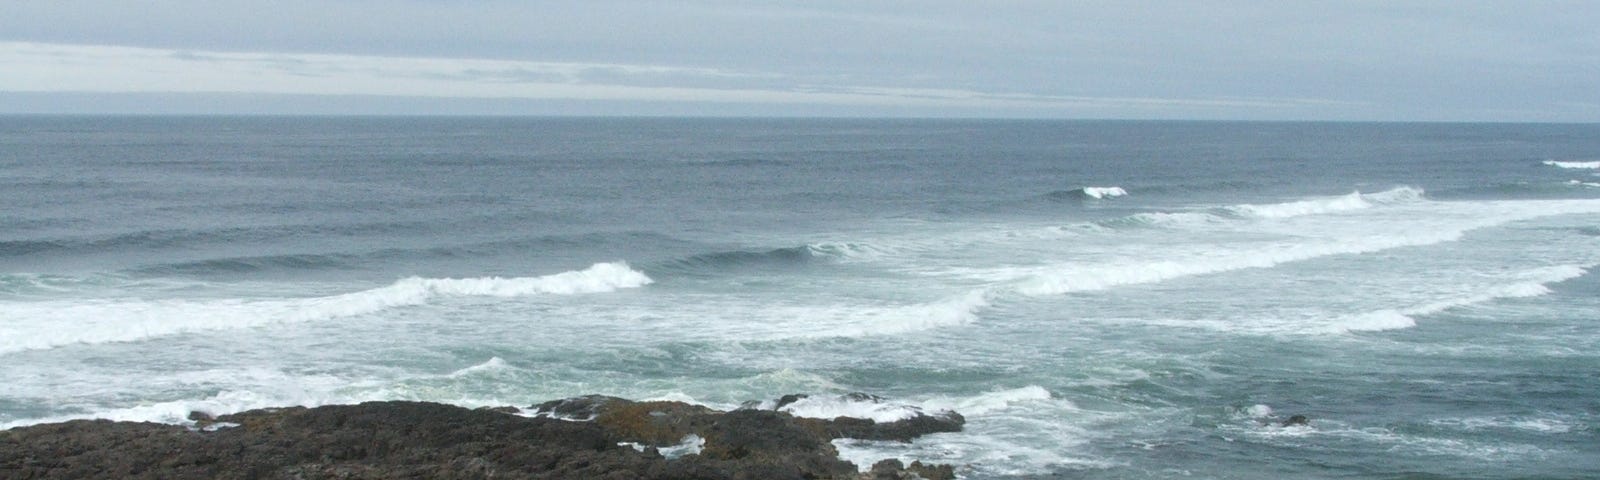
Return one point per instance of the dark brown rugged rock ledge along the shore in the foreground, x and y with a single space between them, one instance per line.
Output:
586 438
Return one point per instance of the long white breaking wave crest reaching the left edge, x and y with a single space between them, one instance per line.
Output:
55 324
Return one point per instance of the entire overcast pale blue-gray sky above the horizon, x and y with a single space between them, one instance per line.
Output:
1226 60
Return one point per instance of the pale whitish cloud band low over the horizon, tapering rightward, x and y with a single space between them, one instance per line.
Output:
54 68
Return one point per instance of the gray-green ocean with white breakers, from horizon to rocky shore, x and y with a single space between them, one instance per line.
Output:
1102 300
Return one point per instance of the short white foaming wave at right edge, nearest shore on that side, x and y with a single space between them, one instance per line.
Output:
1535 284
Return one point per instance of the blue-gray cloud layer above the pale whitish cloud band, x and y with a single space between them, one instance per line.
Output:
1236 60
